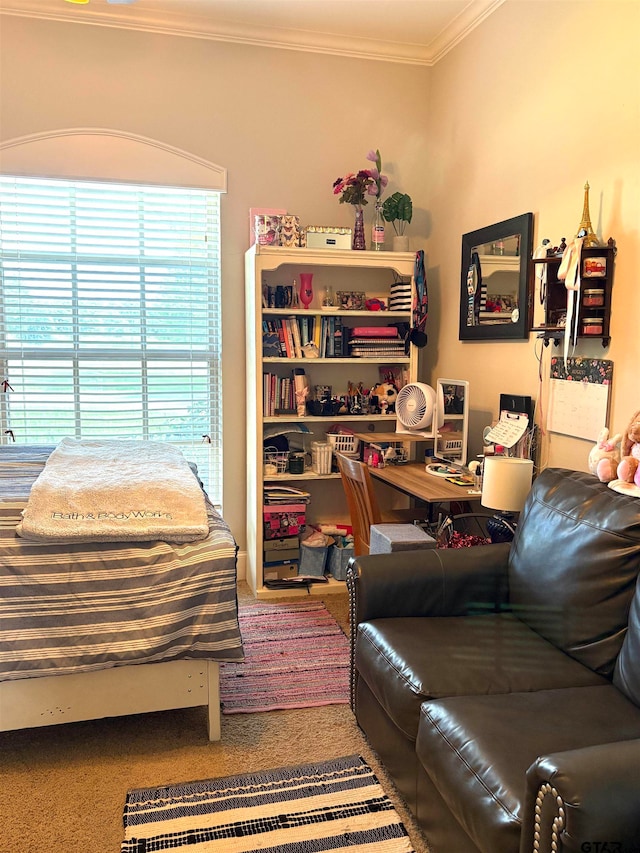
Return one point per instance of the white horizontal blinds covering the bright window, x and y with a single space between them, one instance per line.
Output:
110 316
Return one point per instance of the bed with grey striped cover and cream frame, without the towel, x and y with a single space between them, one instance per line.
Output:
92 630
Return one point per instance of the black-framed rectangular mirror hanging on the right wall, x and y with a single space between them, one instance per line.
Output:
493 281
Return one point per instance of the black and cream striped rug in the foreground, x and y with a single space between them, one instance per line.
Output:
331 806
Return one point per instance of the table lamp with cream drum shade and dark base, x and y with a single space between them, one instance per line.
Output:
506 482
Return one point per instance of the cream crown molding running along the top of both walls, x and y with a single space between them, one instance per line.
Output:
198 26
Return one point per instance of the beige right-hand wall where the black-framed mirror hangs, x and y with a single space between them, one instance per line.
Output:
541 98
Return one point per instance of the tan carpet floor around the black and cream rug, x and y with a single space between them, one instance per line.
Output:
63 787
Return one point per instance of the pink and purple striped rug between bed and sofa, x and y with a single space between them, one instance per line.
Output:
296 656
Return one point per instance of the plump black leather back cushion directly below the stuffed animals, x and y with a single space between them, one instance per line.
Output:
573 565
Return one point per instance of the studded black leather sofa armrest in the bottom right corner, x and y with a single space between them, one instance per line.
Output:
583 798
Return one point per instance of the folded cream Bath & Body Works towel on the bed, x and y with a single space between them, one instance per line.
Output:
114 491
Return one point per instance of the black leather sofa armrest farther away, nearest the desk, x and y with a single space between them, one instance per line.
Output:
435 582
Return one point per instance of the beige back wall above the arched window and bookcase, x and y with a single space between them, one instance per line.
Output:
284 124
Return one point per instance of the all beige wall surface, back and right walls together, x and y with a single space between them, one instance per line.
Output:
541 97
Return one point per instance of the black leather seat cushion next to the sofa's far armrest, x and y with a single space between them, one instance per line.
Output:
409 659
